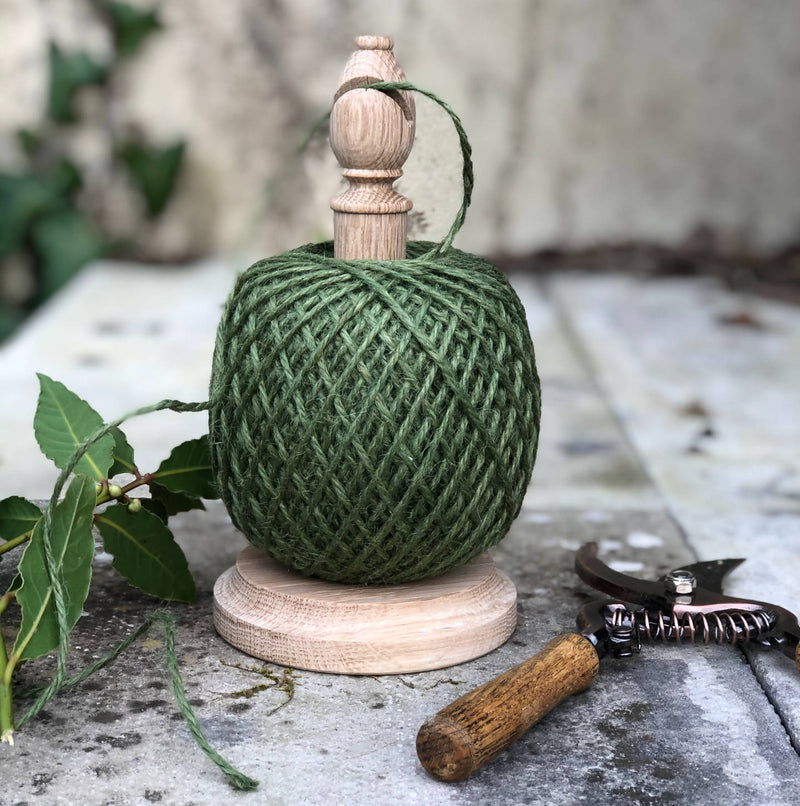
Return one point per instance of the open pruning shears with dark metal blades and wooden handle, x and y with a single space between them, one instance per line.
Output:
686 605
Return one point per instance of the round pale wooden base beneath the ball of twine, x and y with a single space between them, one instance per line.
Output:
286 618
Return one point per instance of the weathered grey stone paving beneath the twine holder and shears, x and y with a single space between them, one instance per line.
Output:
621 463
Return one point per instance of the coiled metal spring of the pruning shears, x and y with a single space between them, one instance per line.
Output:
725 627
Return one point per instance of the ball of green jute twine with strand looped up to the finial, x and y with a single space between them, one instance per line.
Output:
374 421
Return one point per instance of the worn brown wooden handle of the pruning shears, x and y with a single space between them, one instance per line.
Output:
474 729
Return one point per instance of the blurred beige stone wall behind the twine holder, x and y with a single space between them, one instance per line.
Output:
591 121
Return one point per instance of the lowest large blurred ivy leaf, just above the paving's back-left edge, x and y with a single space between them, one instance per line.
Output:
64 242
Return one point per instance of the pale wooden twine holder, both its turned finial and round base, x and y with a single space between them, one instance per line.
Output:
281 616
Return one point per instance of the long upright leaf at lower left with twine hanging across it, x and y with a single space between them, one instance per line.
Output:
73 549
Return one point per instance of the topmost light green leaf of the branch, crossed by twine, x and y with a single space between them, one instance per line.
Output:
62 422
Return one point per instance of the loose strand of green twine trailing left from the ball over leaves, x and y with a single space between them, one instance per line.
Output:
55 574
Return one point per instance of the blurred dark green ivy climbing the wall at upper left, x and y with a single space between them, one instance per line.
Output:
47 232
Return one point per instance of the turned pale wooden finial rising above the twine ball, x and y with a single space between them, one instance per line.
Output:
371 135
